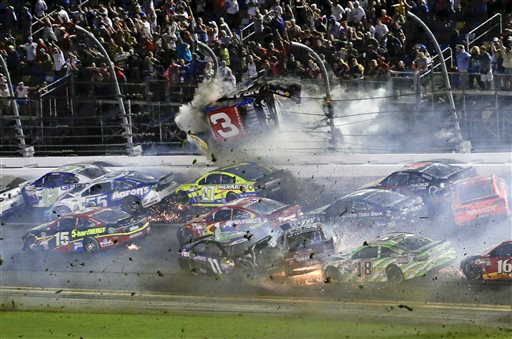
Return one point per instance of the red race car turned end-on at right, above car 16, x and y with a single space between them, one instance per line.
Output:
480 197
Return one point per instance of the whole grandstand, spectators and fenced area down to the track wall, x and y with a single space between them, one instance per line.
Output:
64 99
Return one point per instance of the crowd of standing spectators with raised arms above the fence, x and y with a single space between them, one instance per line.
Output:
366 40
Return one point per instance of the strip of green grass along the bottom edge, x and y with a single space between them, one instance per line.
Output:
40 325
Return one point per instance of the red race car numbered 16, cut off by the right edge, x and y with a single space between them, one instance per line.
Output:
494 263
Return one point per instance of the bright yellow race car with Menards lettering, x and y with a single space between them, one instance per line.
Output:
229 183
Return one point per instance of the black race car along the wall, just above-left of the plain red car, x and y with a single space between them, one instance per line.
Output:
425 178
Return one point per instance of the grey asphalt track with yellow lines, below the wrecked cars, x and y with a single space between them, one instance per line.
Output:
149 279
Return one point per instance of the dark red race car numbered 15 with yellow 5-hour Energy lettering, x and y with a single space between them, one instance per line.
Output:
88 231
